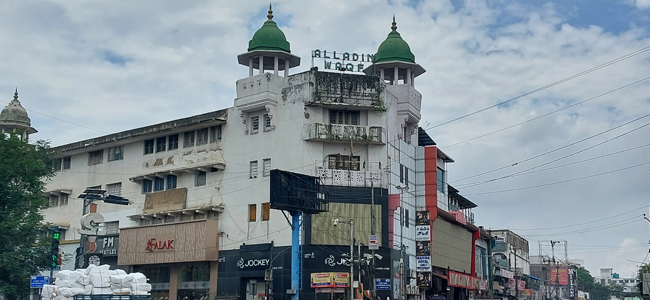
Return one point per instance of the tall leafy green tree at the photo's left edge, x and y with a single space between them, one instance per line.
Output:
23 170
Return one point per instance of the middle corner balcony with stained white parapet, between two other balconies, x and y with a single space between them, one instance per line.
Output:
319 132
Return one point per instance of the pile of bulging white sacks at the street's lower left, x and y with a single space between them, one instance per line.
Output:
95 281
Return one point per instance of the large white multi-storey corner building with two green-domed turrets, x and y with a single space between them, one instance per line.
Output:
200 223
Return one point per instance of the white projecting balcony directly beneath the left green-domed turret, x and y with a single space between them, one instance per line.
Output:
256 92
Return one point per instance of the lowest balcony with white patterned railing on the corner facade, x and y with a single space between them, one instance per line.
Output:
349 178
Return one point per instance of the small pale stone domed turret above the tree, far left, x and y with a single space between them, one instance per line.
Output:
14 120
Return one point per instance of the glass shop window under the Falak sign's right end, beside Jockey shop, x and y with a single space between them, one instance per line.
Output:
194 281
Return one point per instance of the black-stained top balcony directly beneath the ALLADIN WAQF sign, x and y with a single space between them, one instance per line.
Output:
344 90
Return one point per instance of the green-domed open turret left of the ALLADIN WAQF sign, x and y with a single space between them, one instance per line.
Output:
269 50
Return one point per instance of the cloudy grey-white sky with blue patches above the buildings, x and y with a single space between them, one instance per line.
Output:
565 164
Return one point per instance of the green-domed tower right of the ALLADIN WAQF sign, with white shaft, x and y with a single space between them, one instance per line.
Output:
395 64
